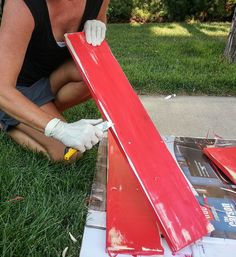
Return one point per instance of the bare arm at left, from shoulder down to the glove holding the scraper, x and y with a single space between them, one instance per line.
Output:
15 32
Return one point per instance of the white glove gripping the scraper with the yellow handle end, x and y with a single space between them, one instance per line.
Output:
81 135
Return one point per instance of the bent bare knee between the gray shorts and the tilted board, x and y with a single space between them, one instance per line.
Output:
68 87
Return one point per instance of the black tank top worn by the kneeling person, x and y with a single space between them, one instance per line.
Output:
43 54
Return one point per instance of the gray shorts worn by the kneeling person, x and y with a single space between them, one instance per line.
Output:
39 93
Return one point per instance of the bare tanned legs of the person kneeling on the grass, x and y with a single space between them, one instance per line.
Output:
69 90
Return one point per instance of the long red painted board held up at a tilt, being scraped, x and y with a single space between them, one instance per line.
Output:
179 215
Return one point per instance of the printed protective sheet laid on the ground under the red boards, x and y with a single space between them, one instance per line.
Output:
187 152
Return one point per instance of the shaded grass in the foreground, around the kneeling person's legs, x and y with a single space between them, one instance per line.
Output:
54 198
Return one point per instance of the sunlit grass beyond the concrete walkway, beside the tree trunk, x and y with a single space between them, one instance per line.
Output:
176 58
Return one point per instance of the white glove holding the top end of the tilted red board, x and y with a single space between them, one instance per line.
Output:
95 32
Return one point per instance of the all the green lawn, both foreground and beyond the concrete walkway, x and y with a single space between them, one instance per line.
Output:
158 59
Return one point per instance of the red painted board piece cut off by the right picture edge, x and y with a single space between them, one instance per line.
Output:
224 158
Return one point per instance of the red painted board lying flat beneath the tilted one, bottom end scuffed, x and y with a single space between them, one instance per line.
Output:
131 222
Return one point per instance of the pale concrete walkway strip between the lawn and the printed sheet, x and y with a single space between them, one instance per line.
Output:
194 116
